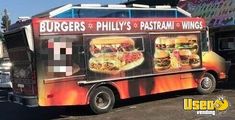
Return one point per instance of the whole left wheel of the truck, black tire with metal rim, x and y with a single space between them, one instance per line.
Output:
101 100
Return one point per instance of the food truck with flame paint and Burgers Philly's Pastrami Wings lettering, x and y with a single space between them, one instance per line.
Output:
61 58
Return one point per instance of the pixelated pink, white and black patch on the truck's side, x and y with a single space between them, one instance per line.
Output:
60 58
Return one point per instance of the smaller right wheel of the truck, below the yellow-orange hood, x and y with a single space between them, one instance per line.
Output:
207 84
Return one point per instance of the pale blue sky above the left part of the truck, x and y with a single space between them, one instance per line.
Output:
17 8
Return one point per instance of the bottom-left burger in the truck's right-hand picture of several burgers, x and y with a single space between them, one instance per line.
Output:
162 60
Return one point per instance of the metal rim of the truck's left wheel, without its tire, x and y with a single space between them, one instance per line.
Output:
102 100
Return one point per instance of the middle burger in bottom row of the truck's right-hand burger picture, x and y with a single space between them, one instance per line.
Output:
184 55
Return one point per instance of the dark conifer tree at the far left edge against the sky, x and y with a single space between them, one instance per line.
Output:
5 21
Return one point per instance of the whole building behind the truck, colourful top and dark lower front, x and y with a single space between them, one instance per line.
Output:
220 17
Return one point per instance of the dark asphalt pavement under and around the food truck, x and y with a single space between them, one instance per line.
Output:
167 106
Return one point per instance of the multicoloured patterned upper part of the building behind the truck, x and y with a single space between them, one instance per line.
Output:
216 12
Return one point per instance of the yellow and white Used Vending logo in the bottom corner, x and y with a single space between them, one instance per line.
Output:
206 107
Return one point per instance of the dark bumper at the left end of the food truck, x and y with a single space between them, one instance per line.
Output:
30 101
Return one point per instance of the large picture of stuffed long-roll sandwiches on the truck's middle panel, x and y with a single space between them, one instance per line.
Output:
114 54
